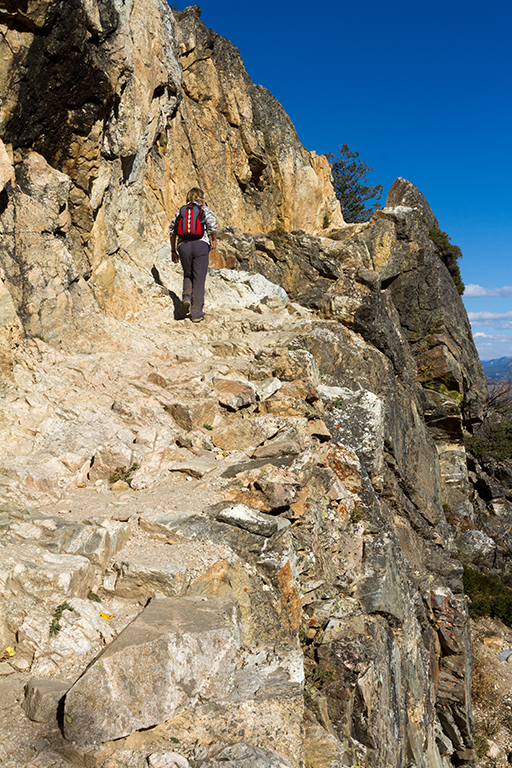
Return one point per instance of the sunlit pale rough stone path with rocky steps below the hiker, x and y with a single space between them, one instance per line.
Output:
191 562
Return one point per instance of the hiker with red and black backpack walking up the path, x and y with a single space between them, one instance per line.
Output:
192 226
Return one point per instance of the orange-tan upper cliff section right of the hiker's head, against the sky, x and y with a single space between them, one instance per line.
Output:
237 139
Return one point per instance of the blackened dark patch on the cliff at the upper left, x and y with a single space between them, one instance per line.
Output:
68 87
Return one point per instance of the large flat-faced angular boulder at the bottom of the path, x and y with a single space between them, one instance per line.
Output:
176 650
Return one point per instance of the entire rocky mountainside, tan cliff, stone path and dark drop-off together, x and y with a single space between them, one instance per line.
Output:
224 544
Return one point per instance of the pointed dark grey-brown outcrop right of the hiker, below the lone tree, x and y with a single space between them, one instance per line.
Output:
386 281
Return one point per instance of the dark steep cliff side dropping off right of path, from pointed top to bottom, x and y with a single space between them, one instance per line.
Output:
418 369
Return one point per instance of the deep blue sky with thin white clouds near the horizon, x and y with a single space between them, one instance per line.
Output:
421 91
